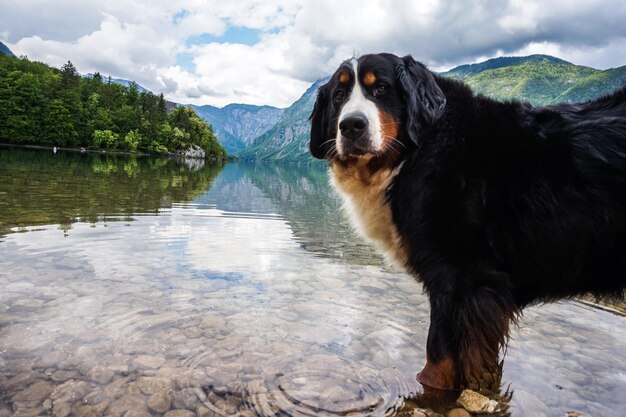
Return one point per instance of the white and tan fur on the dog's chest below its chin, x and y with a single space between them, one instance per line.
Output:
365 199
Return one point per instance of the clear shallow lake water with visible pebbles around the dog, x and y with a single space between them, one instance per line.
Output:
137 286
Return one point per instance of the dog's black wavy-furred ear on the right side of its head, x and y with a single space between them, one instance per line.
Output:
424 99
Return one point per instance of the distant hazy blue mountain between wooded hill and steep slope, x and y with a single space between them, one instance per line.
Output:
237 125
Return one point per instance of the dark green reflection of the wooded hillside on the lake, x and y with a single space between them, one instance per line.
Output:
40 187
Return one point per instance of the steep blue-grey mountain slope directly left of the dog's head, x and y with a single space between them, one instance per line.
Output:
289 138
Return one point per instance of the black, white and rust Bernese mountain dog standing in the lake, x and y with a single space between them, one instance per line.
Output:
492 206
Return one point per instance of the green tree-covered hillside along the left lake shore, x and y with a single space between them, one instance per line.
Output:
41 105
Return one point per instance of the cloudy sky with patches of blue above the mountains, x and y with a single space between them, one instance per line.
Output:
269 51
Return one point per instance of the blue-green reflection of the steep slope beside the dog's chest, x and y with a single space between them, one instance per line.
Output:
305 198
